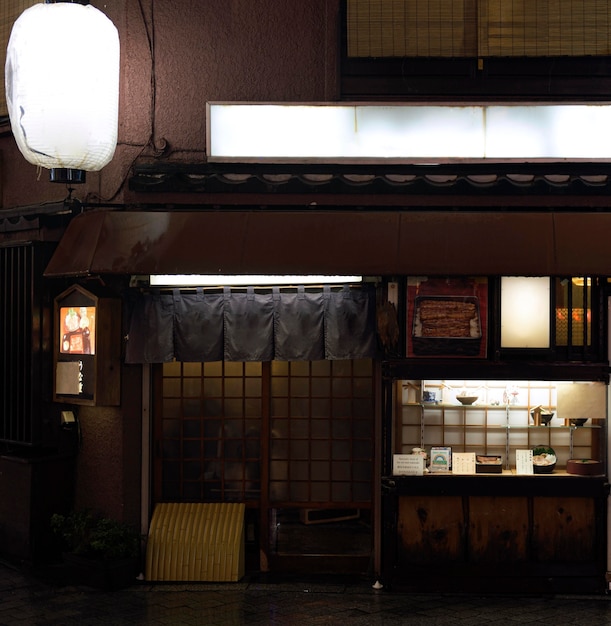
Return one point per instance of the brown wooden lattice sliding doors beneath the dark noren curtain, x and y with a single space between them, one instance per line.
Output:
294 441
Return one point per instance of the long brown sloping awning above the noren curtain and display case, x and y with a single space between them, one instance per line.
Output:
330 242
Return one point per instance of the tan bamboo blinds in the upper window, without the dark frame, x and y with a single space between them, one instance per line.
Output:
455 28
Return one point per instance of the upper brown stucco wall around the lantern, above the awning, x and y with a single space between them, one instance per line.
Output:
176 55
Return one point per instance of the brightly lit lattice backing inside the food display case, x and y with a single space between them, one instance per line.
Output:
487 427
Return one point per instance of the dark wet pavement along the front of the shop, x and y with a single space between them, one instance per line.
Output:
29 599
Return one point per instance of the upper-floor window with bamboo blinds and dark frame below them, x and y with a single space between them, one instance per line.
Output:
476 48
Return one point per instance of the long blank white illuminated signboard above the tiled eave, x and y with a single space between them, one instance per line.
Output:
412 133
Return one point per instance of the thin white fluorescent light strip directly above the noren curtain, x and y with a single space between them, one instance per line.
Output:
217 280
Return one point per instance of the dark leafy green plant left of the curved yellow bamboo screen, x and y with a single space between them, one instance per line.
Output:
94 536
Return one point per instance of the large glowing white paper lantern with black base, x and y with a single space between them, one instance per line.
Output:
62 87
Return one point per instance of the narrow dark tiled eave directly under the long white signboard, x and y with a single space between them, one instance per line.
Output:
378 178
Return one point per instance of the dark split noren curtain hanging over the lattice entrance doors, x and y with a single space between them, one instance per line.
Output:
287 325
